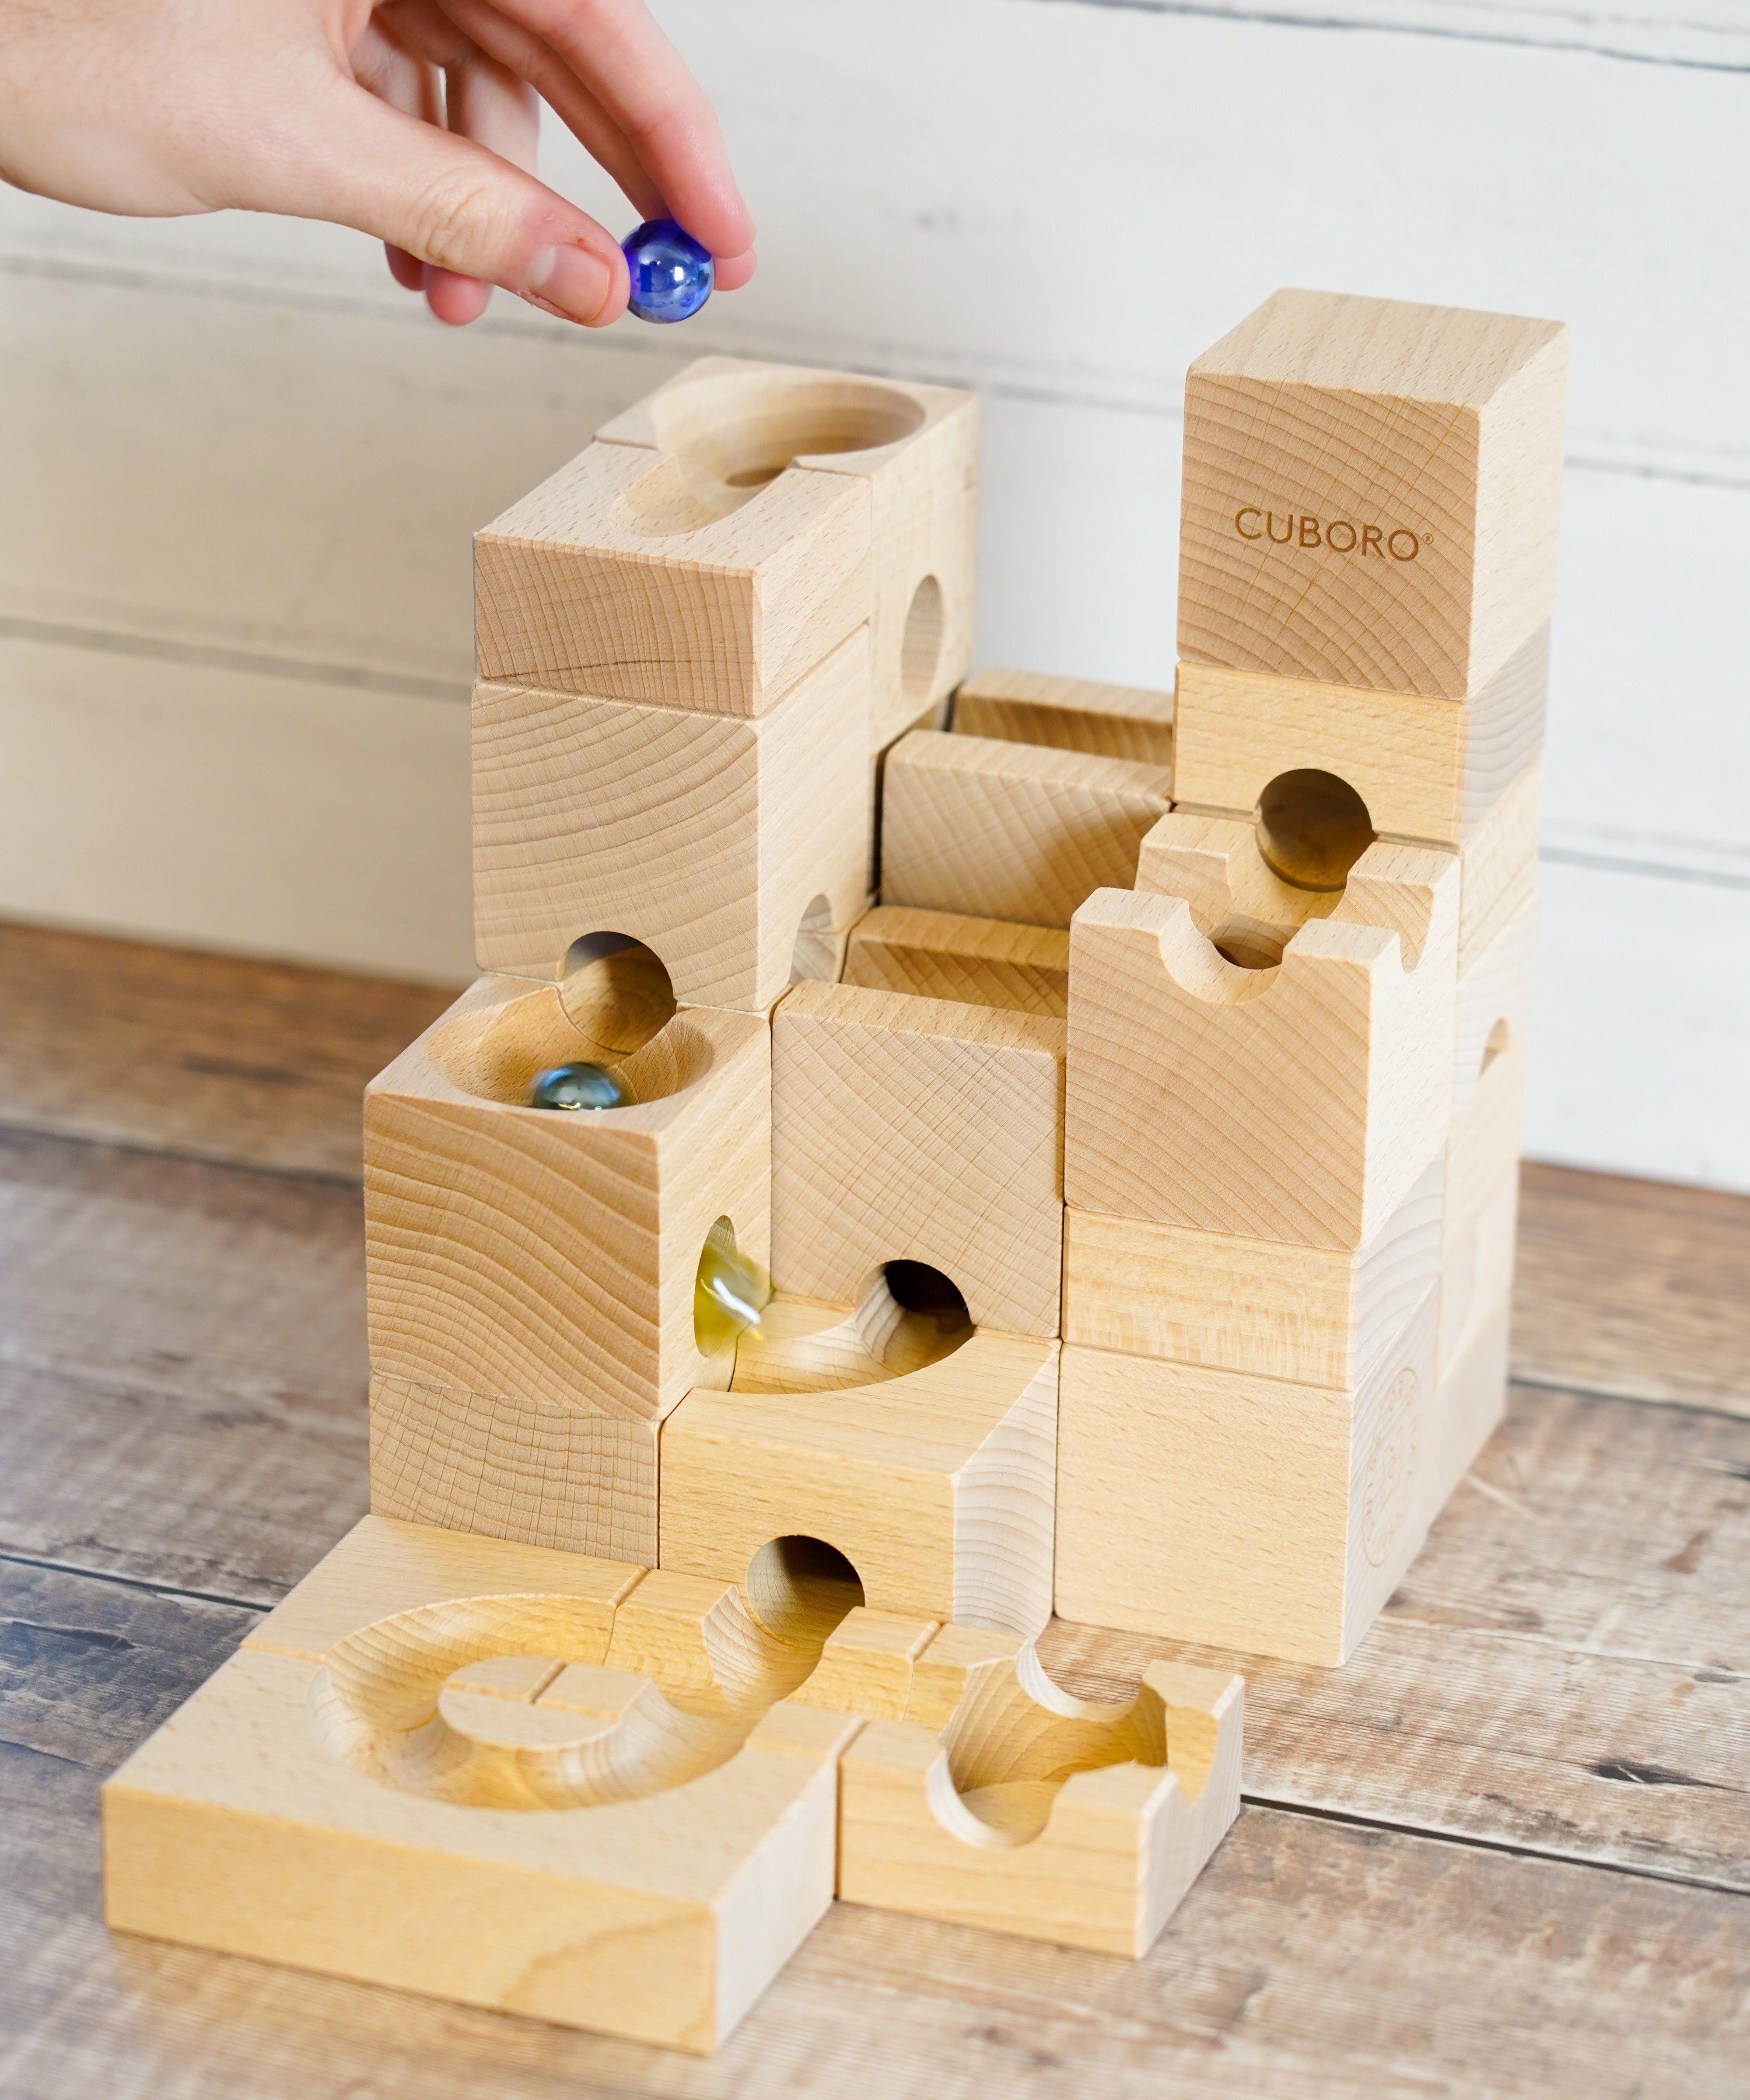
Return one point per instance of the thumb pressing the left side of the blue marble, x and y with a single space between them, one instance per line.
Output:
449 201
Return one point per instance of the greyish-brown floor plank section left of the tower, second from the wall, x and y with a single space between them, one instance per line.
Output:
182 1366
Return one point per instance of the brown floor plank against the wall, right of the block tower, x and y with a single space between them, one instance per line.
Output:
1633 1288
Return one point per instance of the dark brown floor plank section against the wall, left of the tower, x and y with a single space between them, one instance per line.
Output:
190 1053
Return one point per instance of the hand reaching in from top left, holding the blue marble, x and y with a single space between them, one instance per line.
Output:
337 110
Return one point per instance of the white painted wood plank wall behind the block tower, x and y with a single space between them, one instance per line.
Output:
241 469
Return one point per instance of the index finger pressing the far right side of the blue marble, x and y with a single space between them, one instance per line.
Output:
631 68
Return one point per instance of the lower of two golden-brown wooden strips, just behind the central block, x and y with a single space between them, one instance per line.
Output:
974 963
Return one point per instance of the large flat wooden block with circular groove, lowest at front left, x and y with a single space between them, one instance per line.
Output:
608 1862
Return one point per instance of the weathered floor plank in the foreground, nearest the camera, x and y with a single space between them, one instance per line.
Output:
1310 1958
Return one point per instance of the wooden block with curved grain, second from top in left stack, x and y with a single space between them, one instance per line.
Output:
711 839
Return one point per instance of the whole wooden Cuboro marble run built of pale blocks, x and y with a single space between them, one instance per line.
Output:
1121 1087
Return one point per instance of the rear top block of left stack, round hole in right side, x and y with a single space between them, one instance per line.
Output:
736 427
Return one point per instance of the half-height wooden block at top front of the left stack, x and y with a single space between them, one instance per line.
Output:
614 579
